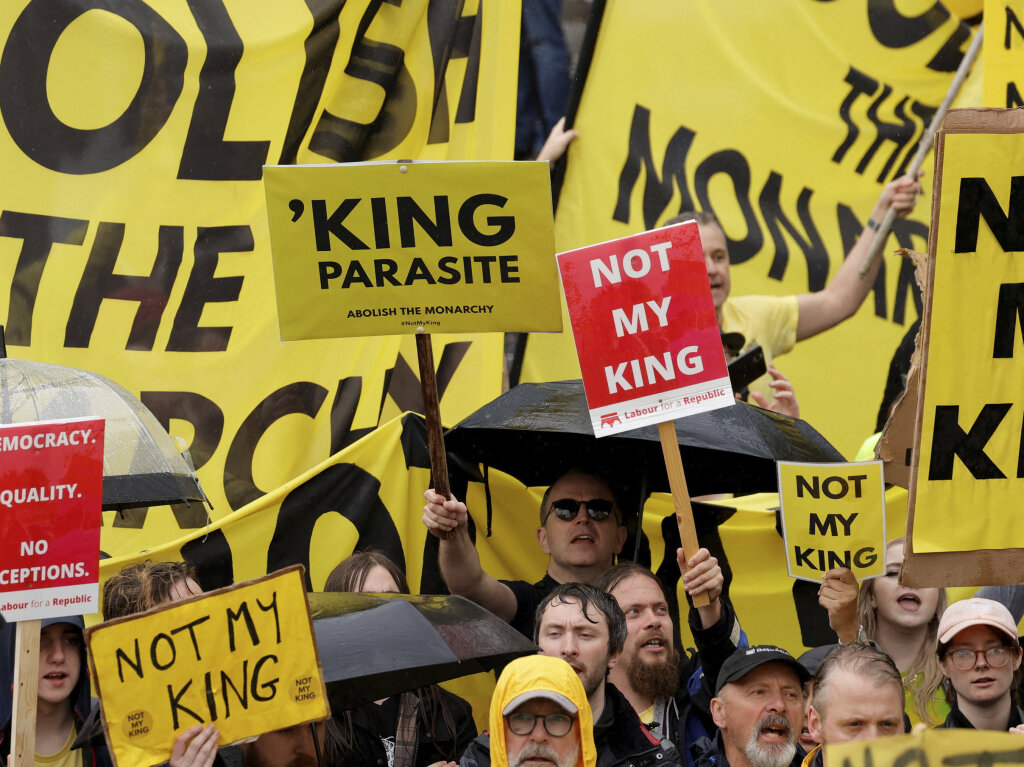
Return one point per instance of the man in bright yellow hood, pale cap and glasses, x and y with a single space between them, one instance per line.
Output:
539 716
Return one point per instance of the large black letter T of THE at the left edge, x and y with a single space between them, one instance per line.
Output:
38 235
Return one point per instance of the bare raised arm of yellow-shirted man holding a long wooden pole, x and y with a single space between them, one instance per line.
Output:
845 292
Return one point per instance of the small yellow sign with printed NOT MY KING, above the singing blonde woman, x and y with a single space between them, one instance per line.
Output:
834 516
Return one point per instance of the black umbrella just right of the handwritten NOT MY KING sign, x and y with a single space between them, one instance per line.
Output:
375 647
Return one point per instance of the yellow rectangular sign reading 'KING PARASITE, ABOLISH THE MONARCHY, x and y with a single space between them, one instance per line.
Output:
369 249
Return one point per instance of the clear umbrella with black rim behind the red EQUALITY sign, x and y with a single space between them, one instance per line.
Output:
142 464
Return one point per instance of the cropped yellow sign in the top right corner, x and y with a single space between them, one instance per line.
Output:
1003 54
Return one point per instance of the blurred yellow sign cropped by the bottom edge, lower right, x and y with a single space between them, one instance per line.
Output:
935 747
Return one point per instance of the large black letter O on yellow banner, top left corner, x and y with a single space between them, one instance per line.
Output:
26 109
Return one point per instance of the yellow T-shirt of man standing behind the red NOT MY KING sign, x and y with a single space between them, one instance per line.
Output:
770 321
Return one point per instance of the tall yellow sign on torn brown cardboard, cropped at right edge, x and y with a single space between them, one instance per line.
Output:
968 472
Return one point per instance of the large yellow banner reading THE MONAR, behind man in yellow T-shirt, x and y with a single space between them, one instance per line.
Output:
791 153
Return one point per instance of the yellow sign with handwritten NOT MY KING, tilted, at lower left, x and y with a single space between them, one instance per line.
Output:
241 658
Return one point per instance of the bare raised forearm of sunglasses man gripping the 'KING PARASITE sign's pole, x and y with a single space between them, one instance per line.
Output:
458 559
